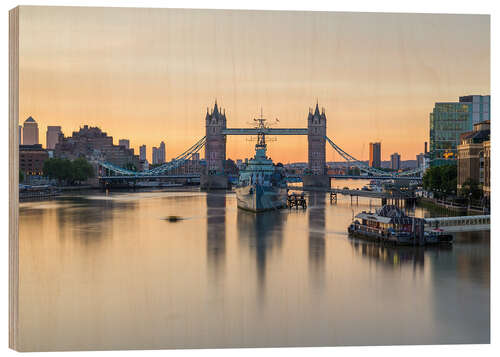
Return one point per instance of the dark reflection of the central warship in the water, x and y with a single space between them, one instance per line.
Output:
261 233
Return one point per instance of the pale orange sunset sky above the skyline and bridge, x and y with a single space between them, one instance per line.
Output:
149 75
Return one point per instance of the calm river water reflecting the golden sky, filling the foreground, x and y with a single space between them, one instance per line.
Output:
108 272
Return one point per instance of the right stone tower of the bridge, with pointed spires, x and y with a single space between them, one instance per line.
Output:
316 175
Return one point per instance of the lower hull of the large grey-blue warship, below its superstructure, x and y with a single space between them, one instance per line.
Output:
258 198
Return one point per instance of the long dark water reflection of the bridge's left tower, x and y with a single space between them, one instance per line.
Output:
216 234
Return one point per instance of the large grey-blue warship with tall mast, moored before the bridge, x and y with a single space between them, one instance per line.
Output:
261 184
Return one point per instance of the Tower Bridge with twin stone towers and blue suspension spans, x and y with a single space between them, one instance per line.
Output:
214 142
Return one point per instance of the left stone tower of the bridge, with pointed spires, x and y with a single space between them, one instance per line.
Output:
214 176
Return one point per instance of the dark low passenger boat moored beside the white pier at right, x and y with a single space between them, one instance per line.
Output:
387 224
